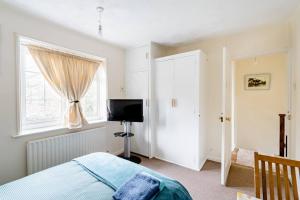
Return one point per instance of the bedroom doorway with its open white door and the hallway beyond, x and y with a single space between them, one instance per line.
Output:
239 143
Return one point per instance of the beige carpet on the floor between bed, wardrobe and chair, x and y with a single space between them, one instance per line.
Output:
205 185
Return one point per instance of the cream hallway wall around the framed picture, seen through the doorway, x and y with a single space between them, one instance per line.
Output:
257 120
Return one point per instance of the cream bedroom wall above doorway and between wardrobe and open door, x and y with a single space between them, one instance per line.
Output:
249 43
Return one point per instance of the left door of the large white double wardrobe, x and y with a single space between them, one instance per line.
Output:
163 137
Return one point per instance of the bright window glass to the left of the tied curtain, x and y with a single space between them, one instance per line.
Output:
42 106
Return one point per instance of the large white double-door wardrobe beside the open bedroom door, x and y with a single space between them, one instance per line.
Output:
179 117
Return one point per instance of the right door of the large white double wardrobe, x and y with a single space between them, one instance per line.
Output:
185 124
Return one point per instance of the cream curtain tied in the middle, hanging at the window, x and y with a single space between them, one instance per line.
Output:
70 76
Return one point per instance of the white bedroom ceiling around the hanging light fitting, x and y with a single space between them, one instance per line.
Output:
171 22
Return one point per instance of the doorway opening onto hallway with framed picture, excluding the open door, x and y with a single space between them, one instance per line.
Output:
261 92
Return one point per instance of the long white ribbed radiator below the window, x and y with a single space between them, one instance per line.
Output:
48 152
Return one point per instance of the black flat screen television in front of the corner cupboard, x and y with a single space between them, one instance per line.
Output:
130 110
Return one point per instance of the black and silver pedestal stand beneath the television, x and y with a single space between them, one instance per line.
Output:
127 143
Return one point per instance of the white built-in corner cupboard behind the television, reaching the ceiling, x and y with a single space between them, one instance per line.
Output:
138 85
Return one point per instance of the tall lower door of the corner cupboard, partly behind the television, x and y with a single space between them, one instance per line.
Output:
137 87
